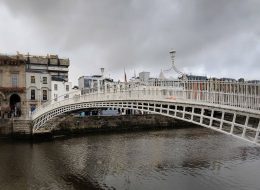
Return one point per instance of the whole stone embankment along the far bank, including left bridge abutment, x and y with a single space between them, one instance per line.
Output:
69 125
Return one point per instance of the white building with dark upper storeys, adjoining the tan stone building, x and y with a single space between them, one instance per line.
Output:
41 71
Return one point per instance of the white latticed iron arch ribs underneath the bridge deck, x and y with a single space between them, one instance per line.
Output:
242 125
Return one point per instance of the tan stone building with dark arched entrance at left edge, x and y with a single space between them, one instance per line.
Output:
12 86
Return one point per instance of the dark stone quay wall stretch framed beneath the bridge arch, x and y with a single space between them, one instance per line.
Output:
82 125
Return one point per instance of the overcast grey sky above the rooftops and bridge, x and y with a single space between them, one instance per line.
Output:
218 38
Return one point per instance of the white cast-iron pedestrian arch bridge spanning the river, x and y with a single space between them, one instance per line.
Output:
231 108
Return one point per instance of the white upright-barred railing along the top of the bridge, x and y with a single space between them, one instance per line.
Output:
244 96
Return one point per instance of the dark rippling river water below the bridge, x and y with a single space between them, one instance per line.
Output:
194 158
